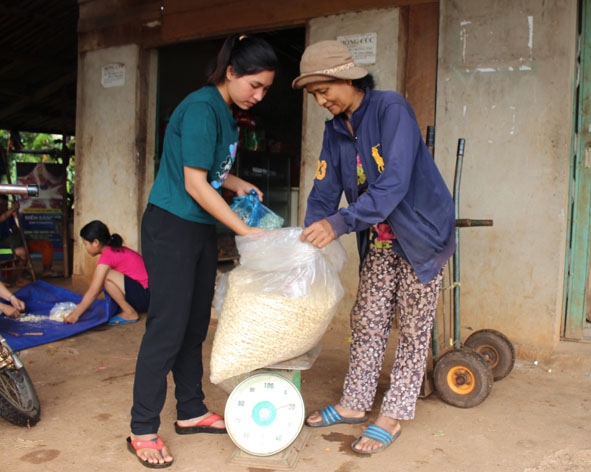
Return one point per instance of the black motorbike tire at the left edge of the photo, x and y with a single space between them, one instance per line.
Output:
19 402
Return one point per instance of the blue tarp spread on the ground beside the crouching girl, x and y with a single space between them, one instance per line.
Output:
39 298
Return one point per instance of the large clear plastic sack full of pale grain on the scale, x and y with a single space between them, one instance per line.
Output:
278 302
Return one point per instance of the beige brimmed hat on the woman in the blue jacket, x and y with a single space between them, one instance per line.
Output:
327 60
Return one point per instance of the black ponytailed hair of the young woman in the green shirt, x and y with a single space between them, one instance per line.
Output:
246 54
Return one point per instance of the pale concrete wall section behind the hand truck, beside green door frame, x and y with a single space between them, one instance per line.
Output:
505 84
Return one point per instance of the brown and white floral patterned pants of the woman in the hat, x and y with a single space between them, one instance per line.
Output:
388 282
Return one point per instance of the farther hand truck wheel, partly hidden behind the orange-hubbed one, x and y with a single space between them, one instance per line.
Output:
495 348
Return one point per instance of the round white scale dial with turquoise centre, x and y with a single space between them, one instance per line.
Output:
264 414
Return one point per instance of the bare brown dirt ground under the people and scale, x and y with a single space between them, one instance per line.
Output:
533 420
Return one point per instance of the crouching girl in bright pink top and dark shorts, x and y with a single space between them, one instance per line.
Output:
119 270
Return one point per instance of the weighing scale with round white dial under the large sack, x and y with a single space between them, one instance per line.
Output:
265 414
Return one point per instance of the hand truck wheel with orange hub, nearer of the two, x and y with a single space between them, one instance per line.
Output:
462 378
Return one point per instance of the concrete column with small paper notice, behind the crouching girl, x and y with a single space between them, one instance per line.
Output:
114 143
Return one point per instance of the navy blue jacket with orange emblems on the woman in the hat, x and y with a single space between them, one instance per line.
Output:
405 187
